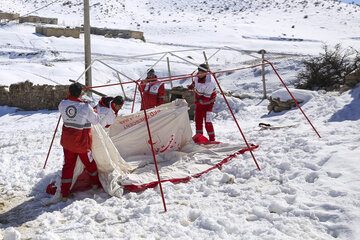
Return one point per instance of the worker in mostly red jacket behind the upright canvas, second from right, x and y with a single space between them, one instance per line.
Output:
153 91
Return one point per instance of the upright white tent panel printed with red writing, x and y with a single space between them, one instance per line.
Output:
169 126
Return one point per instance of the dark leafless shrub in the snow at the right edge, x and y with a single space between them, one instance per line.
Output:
328 70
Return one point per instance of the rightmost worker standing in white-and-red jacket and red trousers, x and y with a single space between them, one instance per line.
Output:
205 94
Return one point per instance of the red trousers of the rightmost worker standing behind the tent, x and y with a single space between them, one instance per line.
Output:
204 113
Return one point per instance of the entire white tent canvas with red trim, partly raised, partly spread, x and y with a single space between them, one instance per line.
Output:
124 157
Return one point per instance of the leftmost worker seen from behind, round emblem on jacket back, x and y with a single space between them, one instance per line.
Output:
76 138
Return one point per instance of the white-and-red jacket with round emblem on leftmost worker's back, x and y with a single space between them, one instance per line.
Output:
77 117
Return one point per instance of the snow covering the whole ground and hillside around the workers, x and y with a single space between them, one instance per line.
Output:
308 187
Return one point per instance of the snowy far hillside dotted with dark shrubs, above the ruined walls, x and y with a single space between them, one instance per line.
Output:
309 20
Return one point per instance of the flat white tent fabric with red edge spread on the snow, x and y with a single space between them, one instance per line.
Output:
178 166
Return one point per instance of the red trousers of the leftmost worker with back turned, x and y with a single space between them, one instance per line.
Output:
69 166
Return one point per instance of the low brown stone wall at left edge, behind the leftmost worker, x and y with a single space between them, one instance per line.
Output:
29 97
